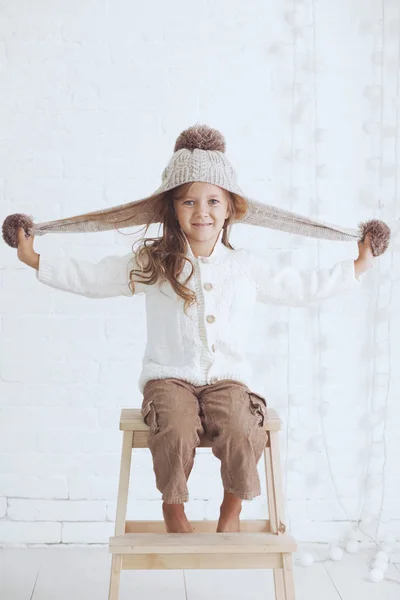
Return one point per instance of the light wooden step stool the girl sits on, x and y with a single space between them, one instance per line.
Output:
261 544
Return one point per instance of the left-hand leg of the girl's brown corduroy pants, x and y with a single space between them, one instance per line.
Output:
171 409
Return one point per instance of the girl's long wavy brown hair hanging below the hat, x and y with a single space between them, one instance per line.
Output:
162 258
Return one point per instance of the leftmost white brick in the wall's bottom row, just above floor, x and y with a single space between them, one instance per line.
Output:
12 532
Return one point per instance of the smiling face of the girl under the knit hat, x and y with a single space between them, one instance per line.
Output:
202 212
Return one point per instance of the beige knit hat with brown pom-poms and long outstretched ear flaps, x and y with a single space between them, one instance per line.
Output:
199 155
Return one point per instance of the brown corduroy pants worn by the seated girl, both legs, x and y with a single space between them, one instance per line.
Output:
227 412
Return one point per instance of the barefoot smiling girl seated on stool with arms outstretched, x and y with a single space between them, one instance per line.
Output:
200 297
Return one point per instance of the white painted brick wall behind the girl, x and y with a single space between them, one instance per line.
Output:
92 102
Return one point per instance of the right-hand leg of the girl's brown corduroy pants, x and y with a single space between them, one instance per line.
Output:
234 417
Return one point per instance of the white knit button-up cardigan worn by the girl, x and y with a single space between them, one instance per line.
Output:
209 342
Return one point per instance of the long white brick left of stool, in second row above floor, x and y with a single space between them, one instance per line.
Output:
55 510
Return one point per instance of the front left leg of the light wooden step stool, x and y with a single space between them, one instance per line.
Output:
122 501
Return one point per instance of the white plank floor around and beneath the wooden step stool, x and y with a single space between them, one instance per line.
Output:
65 573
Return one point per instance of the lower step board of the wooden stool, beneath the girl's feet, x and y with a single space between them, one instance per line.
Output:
202 543
